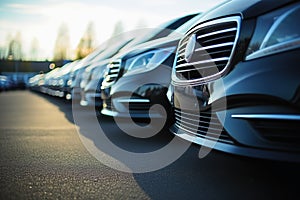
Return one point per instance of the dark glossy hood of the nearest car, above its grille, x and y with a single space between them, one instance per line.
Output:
247 9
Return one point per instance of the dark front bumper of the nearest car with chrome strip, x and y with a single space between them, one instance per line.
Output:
252 111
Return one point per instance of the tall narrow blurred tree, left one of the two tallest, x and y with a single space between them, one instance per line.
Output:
62 44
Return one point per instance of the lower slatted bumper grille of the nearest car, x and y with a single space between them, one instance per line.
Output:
205 125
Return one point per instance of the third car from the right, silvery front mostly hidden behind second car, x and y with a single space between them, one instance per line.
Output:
91 83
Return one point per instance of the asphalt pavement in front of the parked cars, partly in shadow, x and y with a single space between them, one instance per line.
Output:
43 157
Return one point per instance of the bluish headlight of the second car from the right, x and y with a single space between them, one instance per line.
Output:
147 61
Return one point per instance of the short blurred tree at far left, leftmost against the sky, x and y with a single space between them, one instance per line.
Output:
15 47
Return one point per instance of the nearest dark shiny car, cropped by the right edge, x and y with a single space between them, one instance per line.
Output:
235 81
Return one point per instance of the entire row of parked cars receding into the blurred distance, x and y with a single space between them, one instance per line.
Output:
227 78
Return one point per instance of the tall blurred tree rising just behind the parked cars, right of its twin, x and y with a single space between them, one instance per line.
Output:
86 43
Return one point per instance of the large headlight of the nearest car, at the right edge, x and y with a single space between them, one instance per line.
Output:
276 32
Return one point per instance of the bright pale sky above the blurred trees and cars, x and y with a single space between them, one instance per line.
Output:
40 19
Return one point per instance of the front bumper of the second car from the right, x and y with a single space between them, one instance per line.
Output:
134 96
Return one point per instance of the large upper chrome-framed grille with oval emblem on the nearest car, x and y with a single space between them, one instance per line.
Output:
209 57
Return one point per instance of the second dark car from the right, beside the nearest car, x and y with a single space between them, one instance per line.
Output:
139 78
